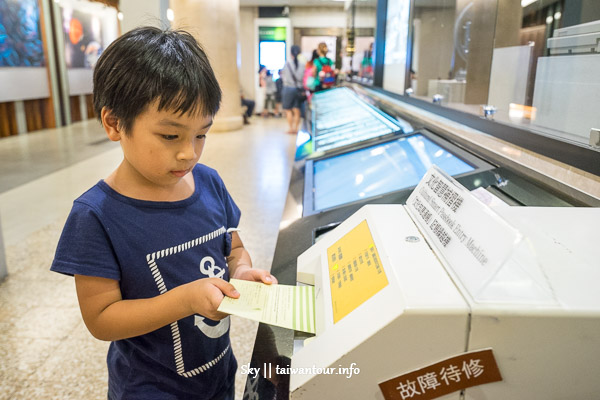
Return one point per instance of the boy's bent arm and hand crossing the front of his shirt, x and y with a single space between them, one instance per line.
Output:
109 317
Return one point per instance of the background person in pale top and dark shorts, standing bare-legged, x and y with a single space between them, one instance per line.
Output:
293 94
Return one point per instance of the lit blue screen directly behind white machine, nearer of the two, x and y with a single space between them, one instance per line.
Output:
380 169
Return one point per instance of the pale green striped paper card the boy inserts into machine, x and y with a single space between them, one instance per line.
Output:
291 307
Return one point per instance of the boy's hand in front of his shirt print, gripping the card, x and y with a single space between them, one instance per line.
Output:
205 295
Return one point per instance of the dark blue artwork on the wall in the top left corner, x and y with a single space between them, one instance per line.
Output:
20 36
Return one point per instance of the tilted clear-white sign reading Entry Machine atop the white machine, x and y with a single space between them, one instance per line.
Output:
471 237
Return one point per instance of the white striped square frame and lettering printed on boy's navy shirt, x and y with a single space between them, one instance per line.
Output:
152 260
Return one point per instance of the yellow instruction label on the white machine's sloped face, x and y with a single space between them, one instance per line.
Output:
355 271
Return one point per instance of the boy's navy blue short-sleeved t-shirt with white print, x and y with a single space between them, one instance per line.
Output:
150 248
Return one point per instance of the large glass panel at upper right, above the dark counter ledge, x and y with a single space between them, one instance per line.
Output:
530 63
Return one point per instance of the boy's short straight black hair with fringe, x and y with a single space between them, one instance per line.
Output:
148 64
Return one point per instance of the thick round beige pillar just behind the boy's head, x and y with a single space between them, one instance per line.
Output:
215 24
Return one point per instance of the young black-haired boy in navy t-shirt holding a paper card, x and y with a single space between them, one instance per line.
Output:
153 245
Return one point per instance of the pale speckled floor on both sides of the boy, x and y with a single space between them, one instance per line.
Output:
45 350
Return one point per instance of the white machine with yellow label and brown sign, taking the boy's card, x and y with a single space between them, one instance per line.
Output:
400 288
